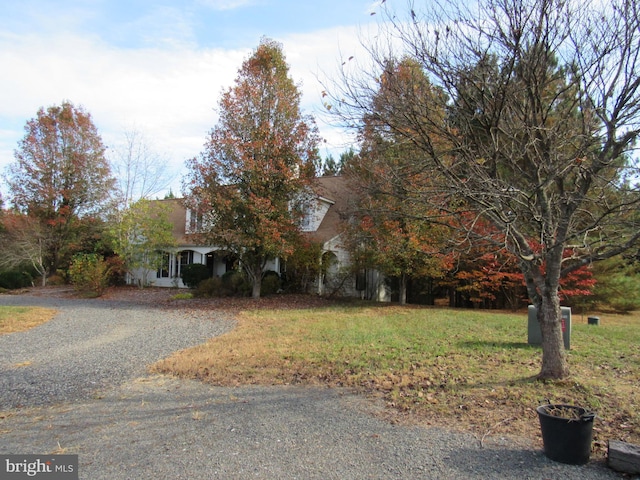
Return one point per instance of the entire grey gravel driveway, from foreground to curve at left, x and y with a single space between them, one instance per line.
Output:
78 385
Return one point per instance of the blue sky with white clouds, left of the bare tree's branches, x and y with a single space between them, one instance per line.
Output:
158 67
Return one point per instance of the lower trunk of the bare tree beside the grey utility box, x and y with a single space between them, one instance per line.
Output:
554 359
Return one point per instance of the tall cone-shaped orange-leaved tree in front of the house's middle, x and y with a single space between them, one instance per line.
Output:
260 157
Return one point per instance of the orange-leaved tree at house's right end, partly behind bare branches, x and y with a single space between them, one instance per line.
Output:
391 226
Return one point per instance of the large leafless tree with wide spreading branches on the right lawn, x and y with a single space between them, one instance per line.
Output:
542 100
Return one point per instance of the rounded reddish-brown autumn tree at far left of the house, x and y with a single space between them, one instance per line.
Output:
60 176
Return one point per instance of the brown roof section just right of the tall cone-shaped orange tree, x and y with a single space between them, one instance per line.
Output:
337 191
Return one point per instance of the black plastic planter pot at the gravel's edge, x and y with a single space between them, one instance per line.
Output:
566 440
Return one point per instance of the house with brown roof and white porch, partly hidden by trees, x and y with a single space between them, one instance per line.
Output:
322 224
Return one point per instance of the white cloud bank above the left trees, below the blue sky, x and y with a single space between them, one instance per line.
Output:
168 94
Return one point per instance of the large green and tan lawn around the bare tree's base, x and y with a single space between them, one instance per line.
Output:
473 369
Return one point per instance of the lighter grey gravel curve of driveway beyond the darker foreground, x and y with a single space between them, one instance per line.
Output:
91 345
